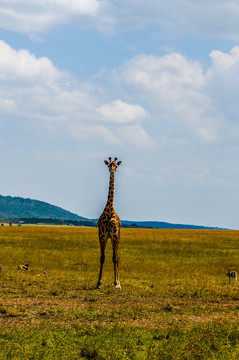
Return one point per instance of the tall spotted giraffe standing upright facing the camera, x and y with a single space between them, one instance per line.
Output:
109 225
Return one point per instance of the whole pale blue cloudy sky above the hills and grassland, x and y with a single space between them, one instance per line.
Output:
154 83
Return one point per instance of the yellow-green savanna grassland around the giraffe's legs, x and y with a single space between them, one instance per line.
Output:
175 302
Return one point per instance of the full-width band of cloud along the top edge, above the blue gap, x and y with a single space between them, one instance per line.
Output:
212 18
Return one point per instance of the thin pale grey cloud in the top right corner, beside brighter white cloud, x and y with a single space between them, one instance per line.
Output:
213 18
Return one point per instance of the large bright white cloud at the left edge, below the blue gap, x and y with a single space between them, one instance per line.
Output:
35 88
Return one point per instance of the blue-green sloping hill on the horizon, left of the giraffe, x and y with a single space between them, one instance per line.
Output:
17 207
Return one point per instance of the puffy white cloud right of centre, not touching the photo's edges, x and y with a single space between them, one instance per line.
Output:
154 74
